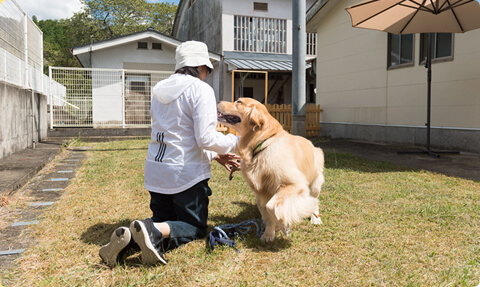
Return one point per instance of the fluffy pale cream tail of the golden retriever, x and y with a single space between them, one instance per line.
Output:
294 208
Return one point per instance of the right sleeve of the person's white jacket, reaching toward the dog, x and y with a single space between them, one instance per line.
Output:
205 123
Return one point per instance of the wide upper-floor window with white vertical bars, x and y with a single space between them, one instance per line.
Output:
256 34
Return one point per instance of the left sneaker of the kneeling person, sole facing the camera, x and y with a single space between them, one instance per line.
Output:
119 240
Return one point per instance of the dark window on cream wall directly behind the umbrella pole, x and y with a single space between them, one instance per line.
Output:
442 46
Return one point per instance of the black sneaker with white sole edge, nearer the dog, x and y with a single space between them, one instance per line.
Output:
150 240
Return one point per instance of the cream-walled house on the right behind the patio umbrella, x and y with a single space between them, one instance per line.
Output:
372 86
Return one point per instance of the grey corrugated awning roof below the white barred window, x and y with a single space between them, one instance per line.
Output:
259 61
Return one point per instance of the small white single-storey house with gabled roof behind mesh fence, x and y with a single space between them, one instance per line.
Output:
125 70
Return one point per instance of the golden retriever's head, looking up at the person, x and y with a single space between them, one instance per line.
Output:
244 115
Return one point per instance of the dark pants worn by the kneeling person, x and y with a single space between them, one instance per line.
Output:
185 212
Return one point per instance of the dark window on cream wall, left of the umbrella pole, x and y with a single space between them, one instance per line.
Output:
400 50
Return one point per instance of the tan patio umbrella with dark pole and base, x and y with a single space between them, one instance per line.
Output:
422 16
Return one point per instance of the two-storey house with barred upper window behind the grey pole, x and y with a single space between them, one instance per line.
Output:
255 39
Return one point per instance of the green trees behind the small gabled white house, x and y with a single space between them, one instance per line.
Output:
101 20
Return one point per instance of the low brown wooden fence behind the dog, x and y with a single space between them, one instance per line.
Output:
283 114
